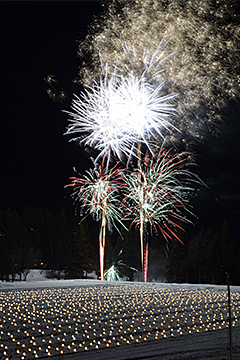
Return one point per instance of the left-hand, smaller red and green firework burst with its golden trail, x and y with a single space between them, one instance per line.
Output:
97 195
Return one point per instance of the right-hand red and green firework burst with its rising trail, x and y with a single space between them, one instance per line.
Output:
159 200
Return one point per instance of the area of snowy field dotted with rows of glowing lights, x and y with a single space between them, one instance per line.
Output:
54 321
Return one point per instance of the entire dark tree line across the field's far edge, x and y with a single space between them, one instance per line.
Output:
35 238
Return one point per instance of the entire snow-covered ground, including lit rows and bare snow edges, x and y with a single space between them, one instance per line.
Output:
85 319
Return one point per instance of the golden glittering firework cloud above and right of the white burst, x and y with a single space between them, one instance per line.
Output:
204 35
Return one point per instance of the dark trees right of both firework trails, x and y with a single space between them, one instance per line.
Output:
207 258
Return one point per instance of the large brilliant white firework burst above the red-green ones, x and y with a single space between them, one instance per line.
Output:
121 111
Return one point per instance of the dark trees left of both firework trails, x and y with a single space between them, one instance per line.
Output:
36 238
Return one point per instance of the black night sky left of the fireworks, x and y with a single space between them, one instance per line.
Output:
38 39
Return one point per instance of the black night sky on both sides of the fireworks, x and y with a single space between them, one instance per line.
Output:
37 39
